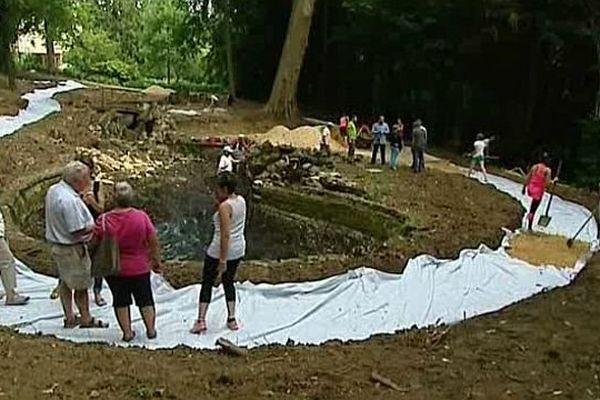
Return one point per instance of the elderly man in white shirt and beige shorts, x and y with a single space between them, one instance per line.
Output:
69 224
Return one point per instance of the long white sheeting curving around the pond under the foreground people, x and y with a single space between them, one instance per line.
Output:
352 306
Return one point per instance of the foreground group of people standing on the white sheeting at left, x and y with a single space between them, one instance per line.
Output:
76 224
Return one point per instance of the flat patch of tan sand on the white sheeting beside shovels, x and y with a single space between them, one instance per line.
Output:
539 249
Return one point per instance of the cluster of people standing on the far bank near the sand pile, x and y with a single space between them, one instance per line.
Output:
382 135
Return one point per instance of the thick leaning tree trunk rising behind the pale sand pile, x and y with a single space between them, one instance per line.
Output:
283 102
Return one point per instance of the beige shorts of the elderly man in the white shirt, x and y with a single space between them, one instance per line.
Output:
74 266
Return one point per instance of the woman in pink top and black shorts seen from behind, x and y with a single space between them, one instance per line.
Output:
139 252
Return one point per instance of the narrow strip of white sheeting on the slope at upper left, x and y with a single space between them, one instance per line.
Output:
41 104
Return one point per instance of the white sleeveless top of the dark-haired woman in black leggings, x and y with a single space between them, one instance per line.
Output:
237 240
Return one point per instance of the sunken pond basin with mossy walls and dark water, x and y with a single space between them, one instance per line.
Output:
283 222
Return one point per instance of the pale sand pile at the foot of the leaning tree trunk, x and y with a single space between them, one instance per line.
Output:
304 137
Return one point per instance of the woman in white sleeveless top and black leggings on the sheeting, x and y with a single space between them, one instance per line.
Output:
225 252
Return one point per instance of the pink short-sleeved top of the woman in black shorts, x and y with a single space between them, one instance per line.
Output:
132 229
